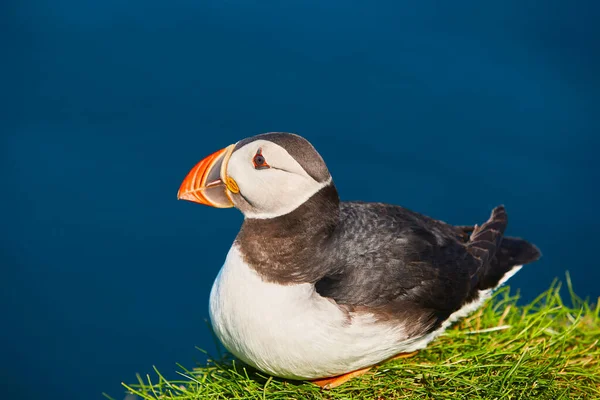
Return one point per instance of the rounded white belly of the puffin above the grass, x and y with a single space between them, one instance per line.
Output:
293 332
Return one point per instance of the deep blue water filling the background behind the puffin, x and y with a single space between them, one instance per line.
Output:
445 109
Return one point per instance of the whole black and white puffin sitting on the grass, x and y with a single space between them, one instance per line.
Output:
318 289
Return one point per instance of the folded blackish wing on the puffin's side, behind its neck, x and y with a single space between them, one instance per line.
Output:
401 264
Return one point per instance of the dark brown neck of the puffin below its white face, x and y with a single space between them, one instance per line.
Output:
292 248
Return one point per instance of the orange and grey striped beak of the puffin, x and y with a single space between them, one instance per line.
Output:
207 183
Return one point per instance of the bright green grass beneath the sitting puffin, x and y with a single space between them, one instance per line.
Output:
548 349
